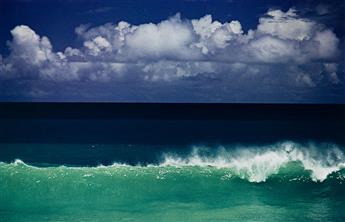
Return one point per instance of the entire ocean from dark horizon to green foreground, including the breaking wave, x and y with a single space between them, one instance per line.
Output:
171 162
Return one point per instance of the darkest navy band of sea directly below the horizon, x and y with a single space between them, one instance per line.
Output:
155 123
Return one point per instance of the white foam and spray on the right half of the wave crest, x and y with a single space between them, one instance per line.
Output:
258 163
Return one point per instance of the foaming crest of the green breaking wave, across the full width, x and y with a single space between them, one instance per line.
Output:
254 164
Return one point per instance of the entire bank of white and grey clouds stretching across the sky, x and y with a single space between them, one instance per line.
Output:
179 48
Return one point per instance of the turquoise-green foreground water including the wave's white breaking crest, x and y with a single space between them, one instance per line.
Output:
281 183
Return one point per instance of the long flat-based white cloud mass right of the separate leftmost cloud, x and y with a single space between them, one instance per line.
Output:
280 37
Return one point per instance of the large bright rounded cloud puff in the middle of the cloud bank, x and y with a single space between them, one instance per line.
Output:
168 39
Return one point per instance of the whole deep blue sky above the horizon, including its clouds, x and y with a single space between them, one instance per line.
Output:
229 51
